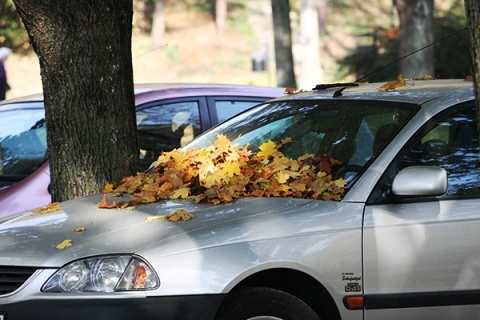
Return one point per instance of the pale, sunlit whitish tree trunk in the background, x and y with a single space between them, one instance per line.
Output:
312 73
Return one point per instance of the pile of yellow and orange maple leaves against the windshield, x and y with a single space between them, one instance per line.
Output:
224 172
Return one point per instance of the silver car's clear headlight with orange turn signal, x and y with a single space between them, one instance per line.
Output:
103 274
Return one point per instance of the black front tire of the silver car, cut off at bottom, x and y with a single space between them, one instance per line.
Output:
260 303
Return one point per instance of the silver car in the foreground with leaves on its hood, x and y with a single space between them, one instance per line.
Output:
402 243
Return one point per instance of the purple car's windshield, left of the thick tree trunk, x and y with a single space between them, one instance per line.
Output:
23 140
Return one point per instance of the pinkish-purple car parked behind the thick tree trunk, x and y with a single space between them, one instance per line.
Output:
168 115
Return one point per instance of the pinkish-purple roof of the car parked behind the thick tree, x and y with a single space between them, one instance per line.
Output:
144 92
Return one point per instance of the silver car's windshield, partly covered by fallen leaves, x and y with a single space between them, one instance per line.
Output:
353 132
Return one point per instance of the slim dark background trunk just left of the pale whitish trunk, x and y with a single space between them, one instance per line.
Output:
283 44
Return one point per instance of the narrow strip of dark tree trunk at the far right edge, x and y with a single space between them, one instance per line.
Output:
472 8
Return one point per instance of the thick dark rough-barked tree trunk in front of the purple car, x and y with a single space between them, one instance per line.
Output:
84 49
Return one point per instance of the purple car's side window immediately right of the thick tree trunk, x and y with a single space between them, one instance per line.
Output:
165 127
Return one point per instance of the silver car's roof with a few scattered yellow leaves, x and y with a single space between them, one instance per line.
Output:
414 91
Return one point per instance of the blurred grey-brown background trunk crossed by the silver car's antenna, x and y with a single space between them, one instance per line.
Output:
416 31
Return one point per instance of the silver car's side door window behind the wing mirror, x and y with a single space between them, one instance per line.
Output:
452 144
